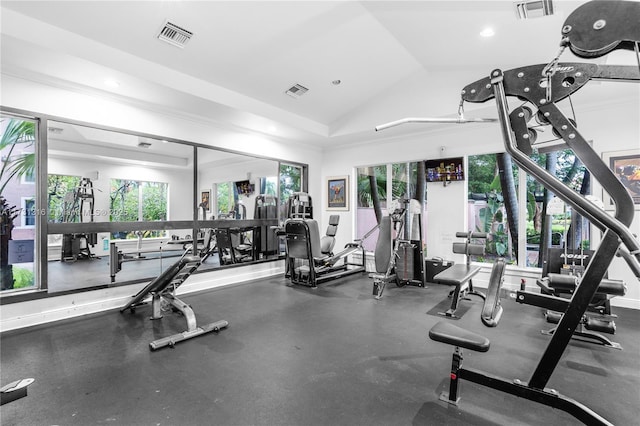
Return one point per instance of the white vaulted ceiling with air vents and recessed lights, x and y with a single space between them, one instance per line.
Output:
393 58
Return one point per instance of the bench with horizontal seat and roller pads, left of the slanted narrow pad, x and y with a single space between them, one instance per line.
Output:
461 275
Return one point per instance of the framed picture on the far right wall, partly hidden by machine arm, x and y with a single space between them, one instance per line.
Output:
626 166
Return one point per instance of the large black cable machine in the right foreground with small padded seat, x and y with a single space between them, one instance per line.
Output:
592 30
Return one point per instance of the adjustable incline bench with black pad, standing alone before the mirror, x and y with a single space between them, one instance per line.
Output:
162 291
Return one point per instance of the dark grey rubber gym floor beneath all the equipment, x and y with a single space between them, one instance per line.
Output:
299 356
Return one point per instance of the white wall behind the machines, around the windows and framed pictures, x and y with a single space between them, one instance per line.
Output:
614 125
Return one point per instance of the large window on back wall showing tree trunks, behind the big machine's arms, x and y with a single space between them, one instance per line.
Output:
494 207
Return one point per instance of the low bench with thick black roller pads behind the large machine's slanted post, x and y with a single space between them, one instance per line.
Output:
560 284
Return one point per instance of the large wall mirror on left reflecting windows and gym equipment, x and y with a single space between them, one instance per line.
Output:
121 208
